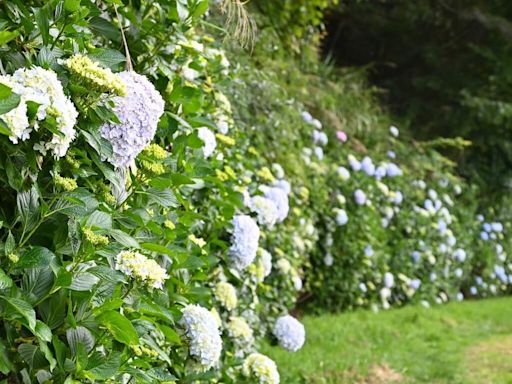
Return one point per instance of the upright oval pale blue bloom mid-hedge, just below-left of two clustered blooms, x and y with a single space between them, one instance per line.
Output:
245 238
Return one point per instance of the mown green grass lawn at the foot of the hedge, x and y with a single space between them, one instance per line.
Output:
468 342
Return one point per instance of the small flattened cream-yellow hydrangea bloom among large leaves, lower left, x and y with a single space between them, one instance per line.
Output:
140 267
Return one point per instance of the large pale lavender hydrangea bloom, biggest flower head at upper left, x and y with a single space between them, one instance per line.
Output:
138 112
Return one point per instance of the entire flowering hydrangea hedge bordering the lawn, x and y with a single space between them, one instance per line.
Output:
130 255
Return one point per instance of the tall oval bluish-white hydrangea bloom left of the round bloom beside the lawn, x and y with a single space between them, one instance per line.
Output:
203 333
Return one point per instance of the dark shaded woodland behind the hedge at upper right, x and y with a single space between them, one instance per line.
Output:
445 67
